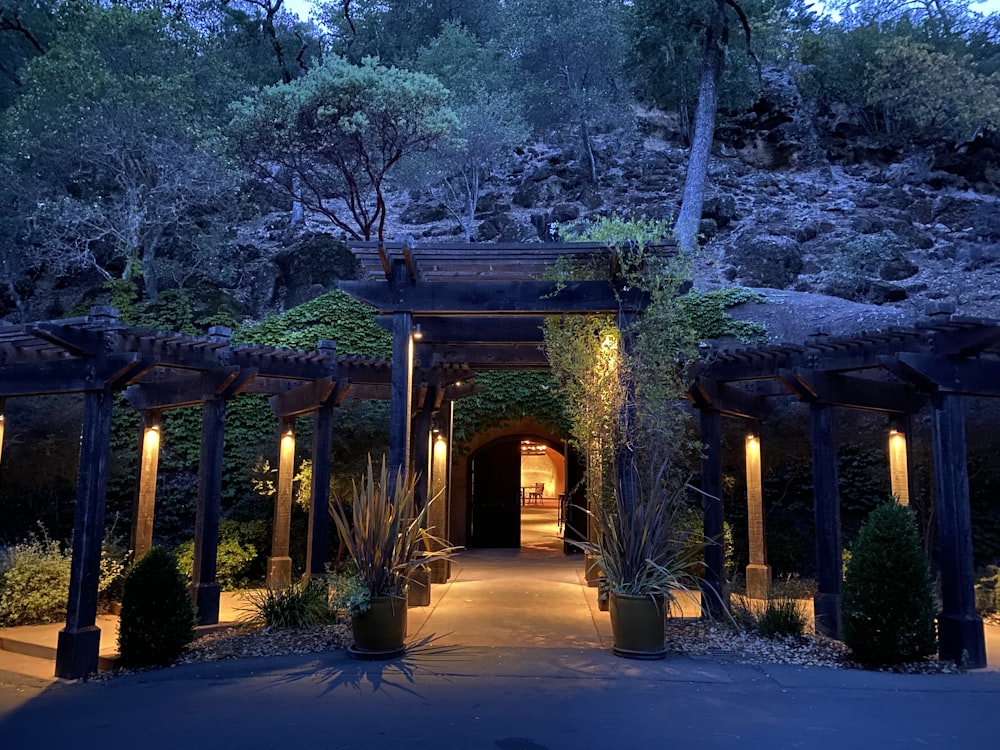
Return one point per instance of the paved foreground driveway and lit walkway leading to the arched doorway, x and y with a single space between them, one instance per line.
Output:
511 654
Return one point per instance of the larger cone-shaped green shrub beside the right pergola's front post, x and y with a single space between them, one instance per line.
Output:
888 611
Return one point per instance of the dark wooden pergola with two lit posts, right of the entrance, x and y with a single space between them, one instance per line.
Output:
895 372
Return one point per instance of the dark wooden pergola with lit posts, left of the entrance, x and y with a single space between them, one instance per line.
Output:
97 356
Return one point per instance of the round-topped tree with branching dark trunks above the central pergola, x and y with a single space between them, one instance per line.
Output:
329 137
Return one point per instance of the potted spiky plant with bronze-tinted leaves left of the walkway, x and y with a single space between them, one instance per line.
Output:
383 532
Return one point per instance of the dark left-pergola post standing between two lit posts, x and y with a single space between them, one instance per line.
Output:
204 588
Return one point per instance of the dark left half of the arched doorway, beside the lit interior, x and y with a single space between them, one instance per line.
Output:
495 510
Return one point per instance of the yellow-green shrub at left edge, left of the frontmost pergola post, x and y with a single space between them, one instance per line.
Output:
34 582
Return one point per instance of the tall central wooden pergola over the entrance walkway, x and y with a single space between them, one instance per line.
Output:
482 306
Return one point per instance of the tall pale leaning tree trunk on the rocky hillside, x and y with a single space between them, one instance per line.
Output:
689 218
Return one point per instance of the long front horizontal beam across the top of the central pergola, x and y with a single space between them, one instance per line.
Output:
522 297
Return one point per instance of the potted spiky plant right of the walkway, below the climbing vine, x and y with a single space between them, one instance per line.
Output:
647 561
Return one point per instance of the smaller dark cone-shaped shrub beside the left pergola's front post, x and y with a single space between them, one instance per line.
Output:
157 618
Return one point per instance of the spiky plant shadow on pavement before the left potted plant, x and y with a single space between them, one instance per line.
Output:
382 676
